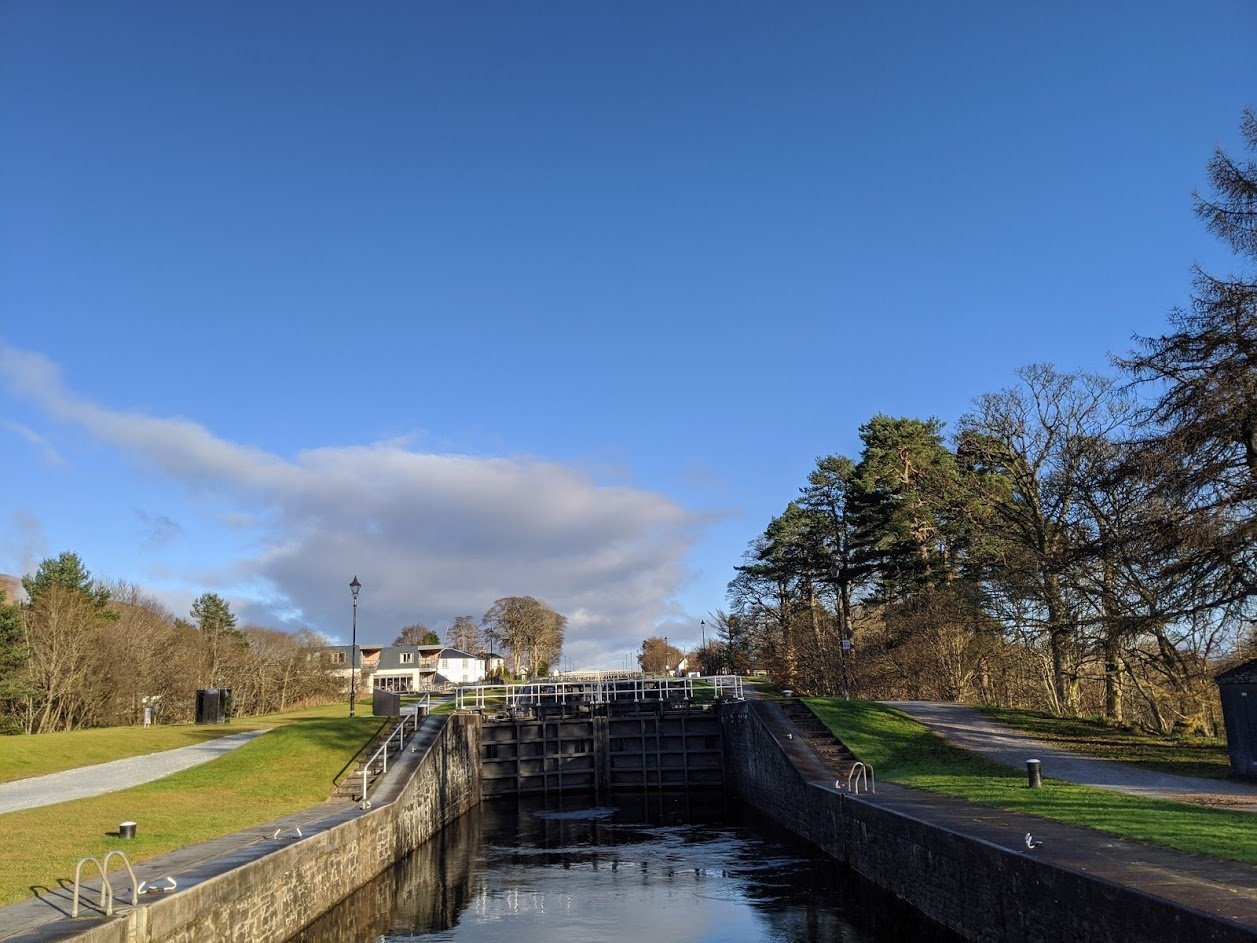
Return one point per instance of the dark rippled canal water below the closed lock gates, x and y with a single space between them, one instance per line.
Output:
649 869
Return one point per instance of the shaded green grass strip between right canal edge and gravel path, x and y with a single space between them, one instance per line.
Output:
903 751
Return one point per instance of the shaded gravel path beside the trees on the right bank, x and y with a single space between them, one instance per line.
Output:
970 730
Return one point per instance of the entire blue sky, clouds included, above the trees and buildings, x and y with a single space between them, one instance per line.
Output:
554 299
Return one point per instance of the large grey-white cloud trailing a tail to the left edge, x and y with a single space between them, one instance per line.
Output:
431 536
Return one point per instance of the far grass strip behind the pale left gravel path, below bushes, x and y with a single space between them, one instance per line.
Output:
43 754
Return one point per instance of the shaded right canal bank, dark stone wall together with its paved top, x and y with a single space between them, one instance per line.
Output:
974 871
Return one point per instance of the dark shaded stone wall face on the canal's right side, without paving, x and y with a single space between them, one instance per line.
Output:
982 892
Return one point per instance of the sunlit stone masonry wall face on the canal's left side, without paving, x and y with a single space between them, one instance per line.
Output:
272 898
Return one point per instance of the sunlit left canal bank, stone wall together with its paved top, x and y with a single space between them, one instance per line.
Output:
263 886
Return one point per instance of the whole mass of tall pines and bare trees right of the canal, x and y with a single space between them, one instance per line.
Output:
1080 550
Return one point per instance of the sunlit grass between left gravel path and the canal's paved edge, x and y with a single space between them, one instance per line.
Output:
286 771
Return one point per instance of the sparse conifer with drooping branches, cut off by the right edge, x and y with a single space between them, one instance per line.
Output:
1200 436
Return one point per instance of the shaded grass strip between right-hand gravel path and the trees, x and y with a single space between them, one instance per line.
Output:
1186 756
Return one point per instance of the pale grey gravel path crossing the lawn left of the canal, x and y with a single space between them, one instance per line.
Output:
118 775
